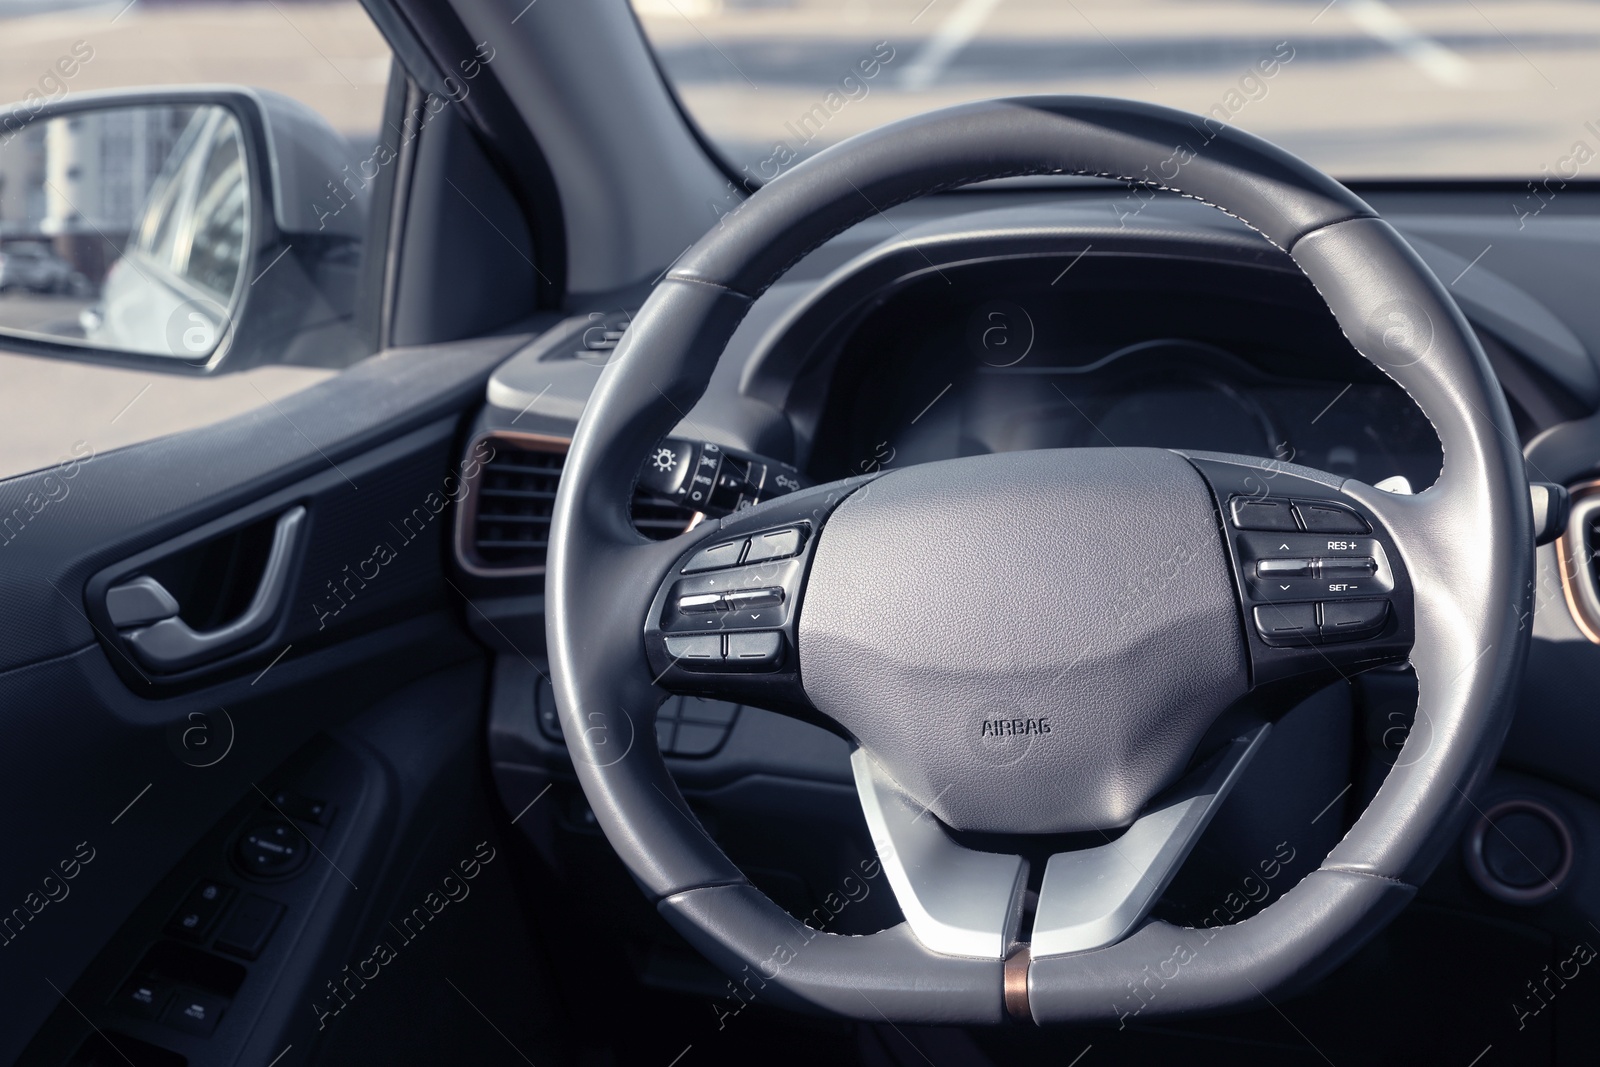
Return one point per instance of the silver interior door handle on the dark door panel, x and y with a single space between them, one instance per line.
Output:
170 644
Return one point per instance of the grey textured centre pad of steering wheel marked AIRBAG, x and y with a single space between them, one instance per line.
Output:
1030 642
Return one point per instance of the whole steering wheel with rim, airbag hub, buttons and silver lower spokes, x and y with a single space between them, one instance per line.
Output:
1046 642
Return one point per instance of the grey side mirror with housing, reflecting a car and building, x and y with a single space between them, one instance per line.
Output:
186 228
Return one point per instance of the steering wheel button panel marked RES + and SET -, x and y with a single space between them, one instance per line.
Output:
1322 585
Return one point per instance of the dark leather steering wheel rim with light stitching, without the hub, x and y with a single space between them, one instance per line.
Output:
1466 541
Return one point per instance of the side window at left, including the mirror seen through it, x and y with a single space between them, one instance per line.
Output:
196 250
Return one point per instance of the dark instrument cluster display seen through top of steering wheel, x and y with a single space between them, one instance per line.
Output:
1121 351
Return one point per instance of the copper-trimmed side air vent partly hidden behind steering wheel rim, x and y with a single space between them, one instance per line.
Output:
505 527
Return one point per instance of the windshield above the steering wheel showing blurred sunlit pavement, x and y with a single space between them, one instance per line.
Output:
1362 89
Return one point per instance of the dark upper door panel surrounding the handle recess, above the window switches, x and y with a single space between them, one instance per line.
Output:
97 767
